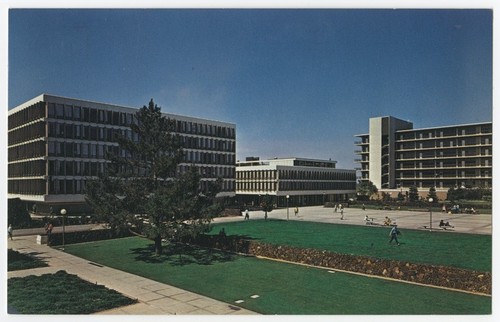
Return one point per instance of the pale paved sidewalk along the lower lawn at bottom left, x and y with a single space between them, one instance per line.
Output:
153 297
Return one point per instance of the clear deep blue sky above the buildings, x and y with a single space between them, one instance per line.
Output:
295 82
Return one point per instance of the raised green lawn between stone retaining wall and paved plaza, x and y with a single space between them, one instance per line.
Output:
440 248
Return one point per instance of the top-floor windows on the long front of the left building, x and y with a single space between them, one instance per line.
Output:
92 115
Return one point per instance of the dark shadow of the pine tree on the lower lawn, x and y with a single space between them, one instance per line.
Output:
181 254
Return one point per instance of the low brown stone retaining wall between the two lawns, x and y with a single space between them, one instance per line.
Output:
450 277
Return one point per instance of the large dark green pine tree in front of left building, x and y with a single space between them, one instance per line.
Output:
142 190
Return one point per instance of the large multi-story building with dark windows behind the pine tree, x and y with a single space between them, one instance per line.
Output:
55 144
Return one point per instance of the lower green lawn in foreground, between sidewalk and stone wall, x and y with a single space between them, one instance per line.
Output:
282 288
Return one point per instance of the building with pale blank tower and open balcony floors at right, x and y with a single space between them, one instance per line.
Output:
396 156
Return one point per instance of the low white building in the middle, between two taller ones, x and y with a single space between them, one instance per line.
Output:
295 181
